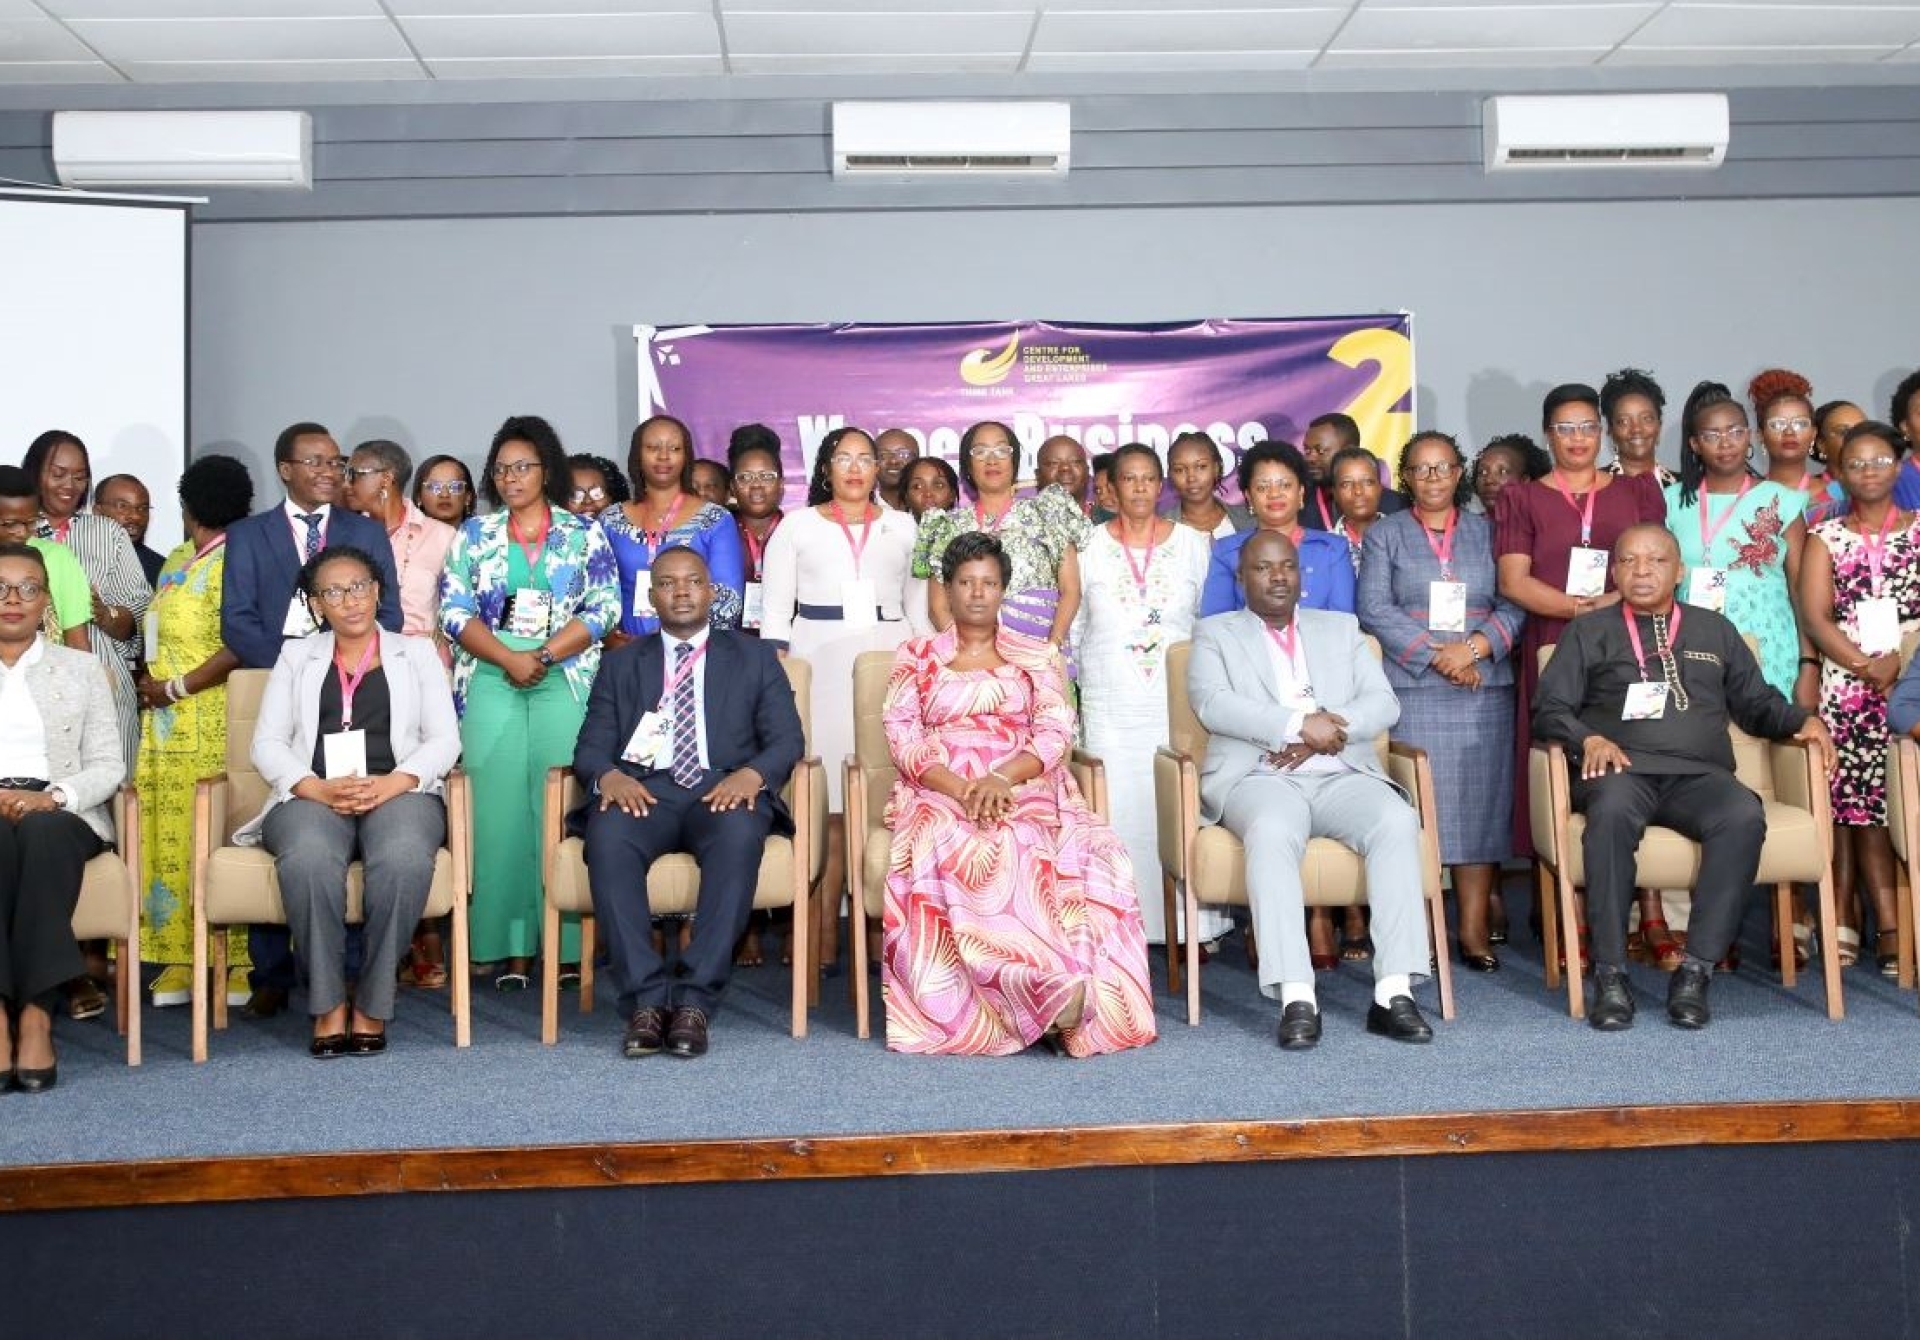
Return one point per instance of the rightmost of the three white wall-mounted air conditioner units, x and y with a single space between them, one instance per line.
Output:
1664 130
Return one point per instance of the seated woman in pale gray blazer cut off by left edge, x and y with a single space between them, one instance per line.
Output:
60 763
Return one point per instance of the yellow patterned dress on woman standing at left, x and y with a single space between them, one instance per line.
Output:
180 746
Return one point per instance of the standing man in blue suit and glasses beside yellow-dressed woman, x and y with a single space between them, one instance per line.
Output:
260 610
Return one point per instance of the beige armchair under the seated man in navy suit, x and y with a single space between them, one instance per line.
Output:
788 869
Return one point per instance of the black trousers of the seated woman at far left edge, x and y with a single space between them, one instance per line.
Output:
43 859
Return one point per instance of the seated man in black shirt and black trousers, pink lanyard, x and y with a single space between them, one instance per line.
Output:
1643 694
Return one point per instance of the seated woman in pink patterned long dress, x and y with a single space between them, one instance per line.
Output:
1011 905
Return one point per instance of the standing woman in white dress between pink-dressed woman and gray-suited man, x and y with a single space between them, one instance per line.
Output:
1141 579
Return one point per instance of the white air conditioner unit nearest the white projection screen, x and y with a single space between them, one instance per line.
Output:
183 149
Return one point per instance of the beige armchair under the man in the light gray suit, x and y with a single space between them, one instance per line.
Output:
1209 865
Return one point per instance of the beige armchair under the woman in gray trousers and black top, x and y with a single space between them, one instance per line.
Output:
239 886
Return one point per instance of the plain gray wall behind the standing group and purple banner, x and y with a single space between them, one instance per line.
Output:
433 331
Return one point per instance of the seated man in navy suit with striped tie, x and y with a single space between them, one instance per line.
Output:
688 742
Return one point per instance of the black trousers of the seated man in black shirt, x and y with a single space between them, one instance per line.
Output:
1714 809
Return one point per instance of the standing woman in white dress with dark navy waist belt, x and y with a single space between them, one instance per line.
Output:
836 583
